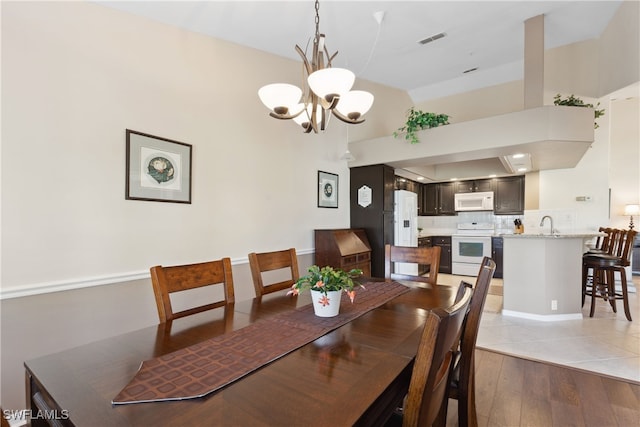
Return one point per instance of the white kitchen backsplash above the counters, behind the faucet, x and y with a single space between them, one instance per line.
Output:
564 220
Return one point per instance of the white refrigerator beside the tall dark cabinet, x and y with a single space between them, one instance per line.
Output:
405 216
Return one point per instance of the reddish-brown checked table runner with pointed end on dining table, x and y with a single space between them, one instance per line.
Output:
202 368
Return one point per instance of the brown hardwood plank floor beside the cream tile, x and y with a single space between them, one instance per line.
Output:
512 391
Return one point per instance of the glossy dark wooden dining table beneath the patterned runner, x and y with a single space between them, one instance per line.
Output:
354 375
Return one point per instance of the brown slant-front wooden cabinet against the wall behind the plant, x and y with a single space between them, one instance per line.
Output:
343 248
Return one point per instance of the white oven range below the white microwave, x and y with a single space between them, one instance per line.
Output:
469 246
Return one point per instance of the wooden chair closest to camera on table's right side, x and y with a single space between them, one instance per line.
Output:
430 375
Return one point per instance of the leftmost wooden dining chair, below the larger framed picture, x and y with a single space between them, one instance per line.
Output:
179 278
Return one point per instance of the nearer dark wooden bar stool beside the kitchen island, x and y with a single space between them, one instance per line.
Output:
604 267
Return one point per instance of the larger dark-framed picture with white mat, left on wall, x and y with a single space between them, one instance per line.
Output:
158 169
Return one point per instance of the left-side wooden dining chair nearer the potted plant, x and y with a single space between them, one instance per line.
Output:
272 261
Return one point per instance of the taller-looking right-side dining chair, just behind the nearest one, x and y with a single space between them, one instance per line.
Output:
462 376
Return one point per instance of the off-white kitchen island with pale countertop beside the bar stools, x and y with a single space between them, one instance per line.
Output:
542 275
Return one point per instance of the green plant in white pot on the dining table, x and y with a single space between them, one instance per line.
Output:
325 285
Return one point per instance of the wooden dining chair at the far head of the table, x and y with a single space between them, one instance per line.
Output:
412 254
